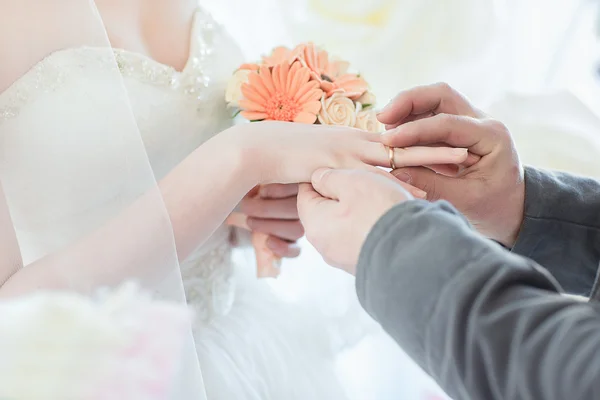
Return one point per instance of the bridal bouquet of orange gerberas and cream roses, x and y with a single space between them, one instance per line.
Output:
303 85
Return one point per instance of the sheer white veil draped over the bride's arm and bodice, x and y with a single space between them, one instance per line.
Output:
80 208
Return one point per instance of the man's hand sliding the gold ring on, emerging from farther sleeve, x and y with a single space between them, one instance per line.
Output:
490 191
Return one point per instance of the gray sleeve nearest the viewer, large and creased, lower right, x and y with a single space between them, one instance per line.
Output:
484 323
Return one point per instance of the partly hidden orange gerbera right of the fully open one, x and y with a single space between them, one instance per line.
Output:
332 75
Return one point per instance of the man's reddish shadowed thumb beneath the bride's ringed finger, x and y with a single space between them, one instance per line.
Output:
437 186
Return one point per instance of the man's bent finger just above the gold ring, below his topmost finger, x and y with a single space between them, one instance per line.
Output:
456 131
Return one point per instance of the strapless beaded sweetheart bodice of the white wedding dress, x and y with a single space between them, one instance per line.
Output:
175 111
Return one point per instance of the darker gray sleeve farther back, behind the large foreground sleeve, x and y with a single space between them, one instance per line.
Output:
561 227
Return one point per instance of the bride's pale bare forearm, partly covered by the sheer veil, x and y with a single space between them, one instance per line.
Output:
190 203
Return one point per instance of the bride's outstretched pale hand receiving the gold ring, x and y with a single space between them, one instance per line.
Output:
290 152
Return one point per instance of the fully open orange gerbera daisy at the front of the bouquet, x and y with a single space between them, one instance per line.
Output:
282 93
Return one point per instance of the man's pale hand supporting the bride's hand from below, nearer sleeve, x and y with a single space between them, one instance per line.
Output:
340 208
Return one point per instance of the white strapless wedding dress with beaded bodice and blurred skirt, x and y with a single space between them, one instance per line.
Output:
251 344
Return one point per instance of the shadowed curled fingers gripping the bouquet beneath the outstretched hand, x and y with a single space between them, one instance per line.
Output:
275 212
